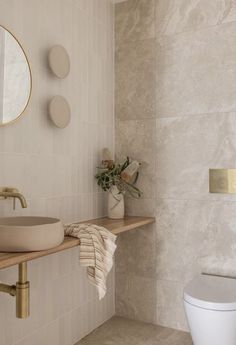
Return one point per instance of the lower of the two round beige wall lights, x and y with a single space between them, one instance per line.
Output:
59 111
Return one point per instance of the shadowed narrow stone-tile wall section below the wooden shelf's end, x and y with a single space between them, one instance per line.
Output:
136 287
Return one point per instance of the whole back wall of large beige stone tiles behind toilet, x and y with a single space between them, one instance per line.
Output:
176 111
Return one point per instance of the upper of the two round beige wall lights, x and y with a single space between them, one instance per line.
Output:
59 61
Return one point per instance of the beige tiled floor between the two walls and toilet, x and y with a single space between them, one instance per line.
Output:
121 331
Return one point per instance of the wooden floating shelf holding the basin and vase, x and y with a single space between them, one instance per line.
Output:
115 226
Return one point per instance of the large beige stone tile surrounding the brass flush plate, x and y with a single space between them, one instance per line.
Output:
187 147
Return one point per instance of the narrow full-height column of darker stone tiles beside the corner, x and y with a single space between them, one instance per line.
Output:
135 113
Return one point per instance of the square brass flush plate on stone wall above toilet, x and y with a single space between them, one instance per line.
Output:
222 181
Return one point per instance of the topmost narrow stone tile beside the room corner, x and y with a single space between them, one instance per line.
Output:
135 20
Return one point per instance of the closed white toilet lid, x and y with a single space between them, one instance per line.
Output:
211 292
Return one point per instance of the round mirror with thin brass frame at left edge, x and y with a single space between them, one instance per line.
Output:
15 78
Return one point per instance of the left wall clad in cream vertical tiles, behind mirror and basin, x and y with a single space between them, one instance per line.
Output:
55 168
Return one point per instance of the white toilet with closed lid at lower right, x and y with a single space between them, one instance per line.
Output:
210 306
